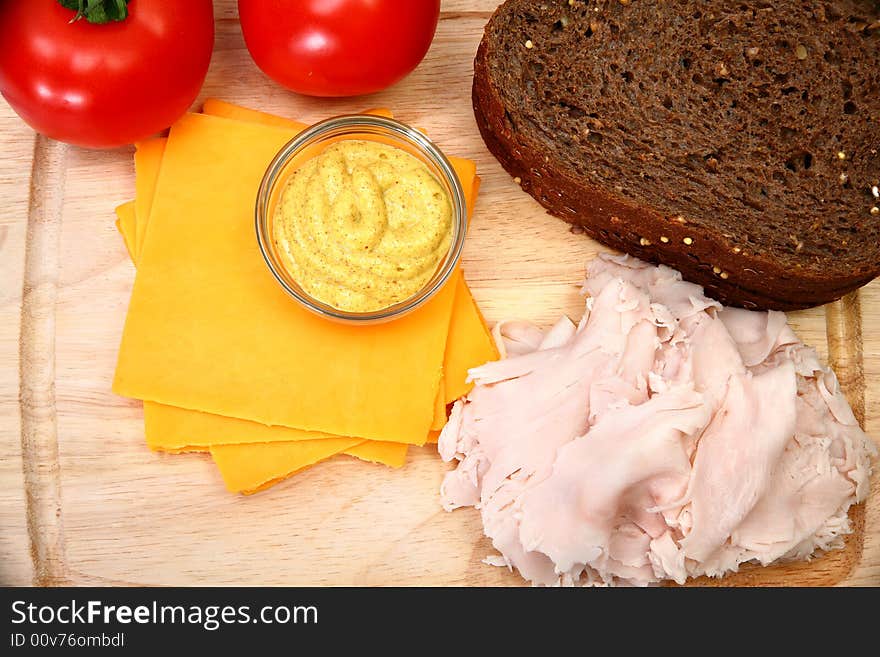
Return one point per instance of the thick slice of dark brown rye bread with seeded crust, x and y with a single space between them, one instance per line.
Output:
735 141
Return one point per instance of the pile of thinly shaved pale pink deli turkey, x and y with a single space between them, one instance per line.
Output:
663 437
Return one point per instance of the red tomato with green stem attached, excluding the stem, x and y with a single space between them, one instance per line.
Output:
102 86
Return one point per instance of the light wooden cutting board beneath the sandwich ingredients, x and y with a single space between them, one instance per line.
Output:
82 499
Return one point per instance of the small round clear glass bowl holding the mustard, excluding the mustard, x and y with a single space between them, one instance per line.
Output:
312 142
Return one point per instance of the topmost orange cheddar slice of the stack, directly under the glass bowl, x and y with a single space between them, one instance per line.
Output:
209 329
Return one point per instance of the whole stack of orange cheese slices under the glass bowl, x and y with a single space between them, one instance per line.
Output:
226 363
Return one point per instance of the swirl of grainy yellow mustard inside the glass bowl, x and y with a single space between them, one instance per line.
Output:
363 225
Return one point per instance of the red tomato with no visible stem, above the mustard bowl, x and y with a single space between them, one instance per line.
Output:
338 47
